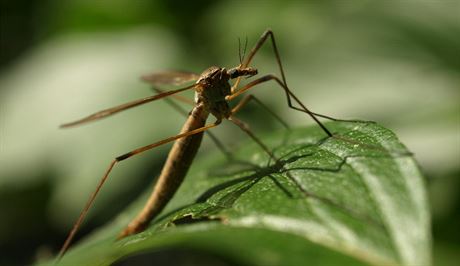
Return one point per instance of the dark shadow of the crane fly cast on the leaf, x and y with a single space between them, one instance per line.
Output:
245 183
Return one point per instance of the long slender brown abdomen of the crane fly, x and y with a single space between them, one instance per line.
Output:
174 170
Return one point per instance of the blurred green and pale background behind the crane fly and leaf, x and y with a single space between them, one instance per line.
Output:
395 62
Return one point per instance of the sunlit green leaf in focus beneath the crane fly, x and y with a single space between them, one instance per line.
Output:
355 198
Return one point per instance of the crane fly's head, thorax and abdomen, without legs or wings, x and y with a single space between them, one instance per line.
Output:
210 91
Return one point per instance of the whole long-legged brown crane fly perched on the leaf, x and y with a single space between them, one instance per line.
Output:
213 93
